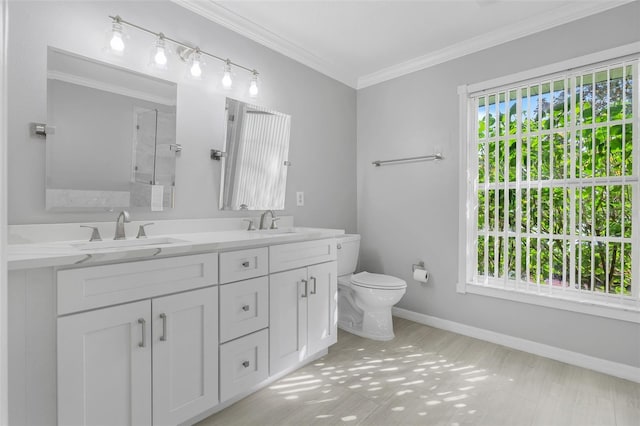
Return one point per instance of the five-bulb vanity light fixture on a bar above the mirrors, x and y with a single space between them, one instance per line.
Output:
190 54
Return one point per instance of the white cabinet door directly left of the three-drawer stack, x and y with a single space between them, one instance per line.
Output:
185 355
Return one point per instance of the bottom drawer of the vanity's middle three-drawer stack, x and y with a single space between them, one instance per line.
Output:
243 364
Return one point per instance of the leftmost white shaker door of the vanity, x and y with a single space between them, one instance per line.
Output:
104 366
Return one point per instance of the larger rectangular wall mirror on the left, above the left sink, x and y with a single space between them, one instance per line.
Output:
111 136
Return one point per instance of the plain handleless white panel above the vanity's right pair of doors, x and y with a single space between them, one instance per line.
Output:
296 255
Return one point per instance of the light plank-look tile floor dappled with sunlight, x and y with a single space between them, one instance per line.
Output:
427 376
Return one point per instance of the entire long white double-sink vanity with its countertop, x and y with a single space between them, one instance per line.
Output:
146 336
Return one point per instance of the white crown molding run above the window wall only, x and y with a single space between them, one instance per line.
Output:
563 15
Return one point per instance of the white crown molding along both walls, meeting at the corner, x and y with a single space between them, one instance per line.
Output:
228 19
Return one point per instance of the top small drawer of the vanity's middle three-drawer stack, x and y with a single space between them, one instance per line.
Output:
243 264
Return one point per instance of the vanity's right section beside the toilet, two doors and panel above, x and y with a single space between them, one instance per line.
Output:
303 314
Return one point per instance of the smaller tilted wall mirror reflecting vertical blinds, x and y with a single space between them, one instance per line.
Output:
254 167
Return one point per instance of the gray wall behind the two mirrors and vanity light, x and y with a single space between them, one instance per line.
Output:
323 130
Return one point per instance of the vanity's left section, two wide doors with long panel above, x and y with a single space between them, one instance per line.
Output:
153 361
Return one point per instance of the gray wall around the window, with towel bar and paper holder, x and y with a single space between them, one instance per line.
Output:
409 212
